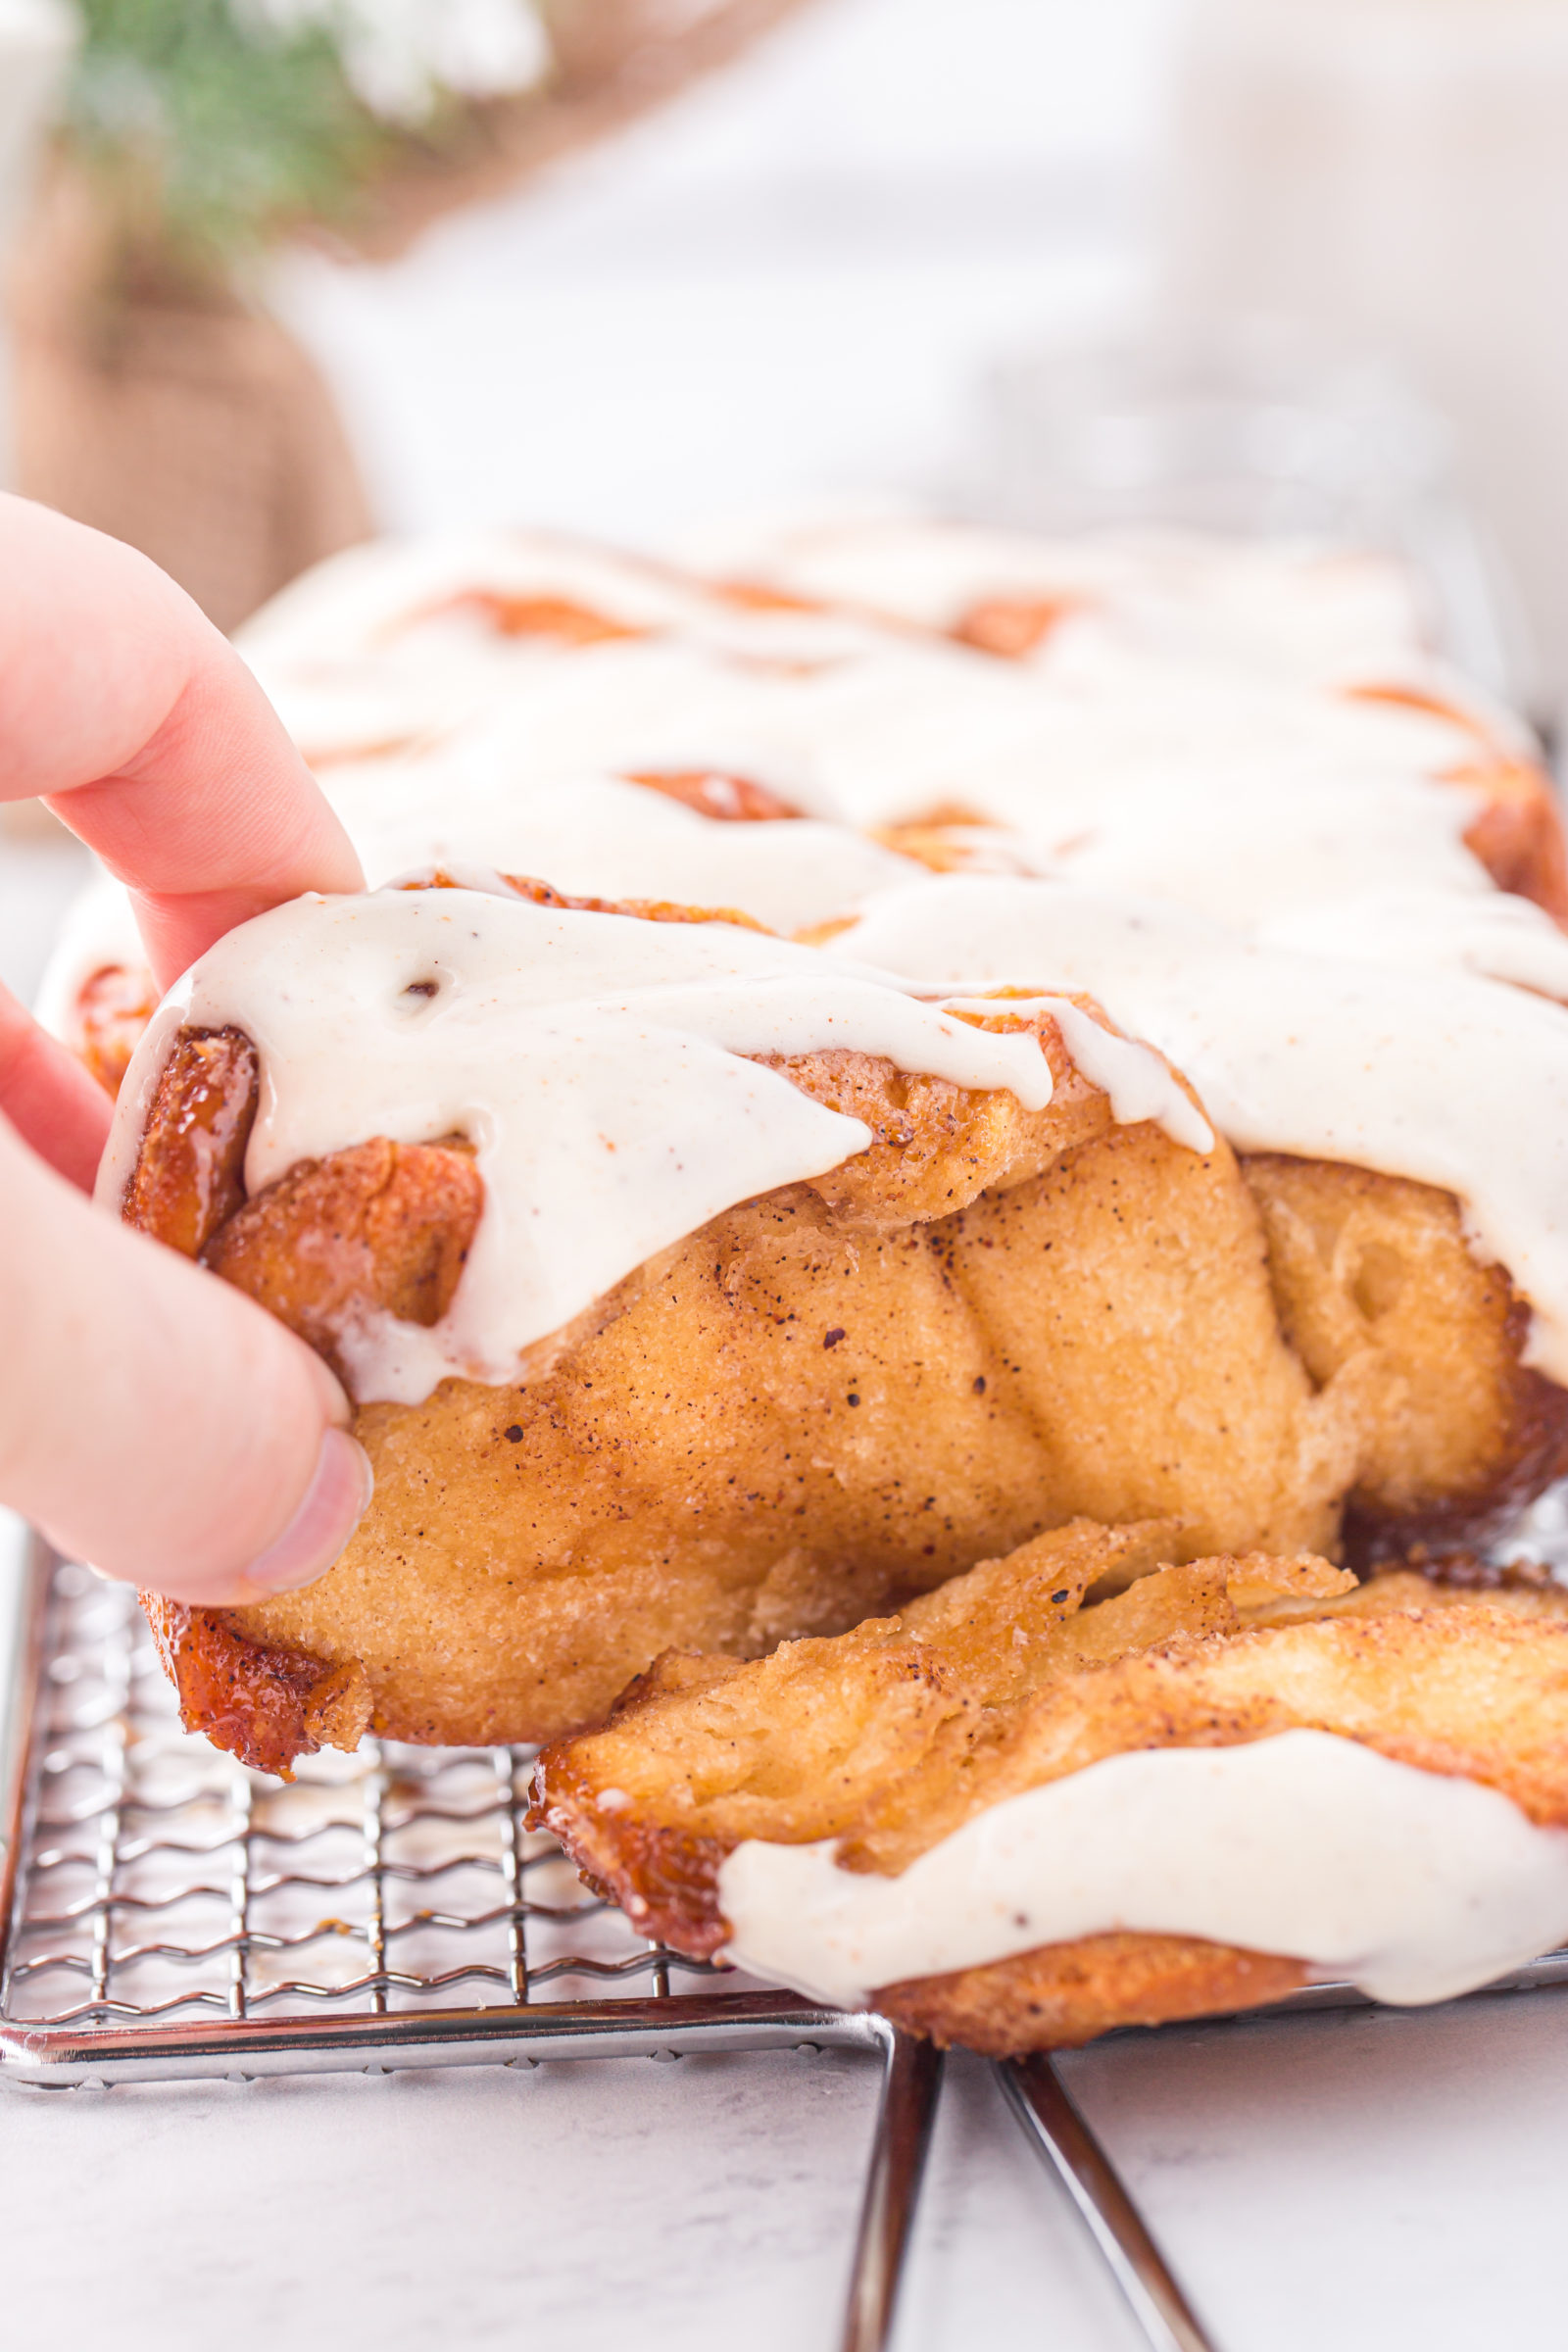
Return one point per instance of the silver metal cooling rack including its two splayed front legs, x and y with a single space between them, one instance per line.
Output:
168 1913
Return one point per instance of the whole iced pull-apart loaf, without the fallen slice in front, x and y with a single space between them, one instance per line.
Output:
1306 1295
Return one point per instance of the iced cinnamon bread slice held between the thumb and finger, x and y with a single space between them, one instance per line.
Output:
678 1321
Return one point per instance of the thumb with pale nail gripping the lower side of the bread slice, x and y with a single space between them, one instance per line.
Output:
152 1419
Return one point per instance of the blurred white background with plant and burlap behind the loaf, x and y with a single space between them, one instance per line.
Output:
290 272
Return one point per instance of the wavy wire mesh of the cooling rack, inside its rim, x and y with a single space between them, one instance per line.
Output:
168 1883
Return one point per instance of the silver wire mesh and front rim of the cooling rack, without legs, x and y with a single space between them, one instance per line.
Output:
170 1911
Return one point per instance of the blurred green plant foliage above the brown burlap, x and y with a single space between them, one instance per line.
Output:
210 131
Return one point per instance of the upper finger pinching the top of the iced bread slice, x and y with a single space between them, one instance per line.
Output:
138 723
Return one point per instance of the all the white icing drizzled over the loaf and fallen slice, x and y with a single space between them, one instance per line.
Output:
1184 737
